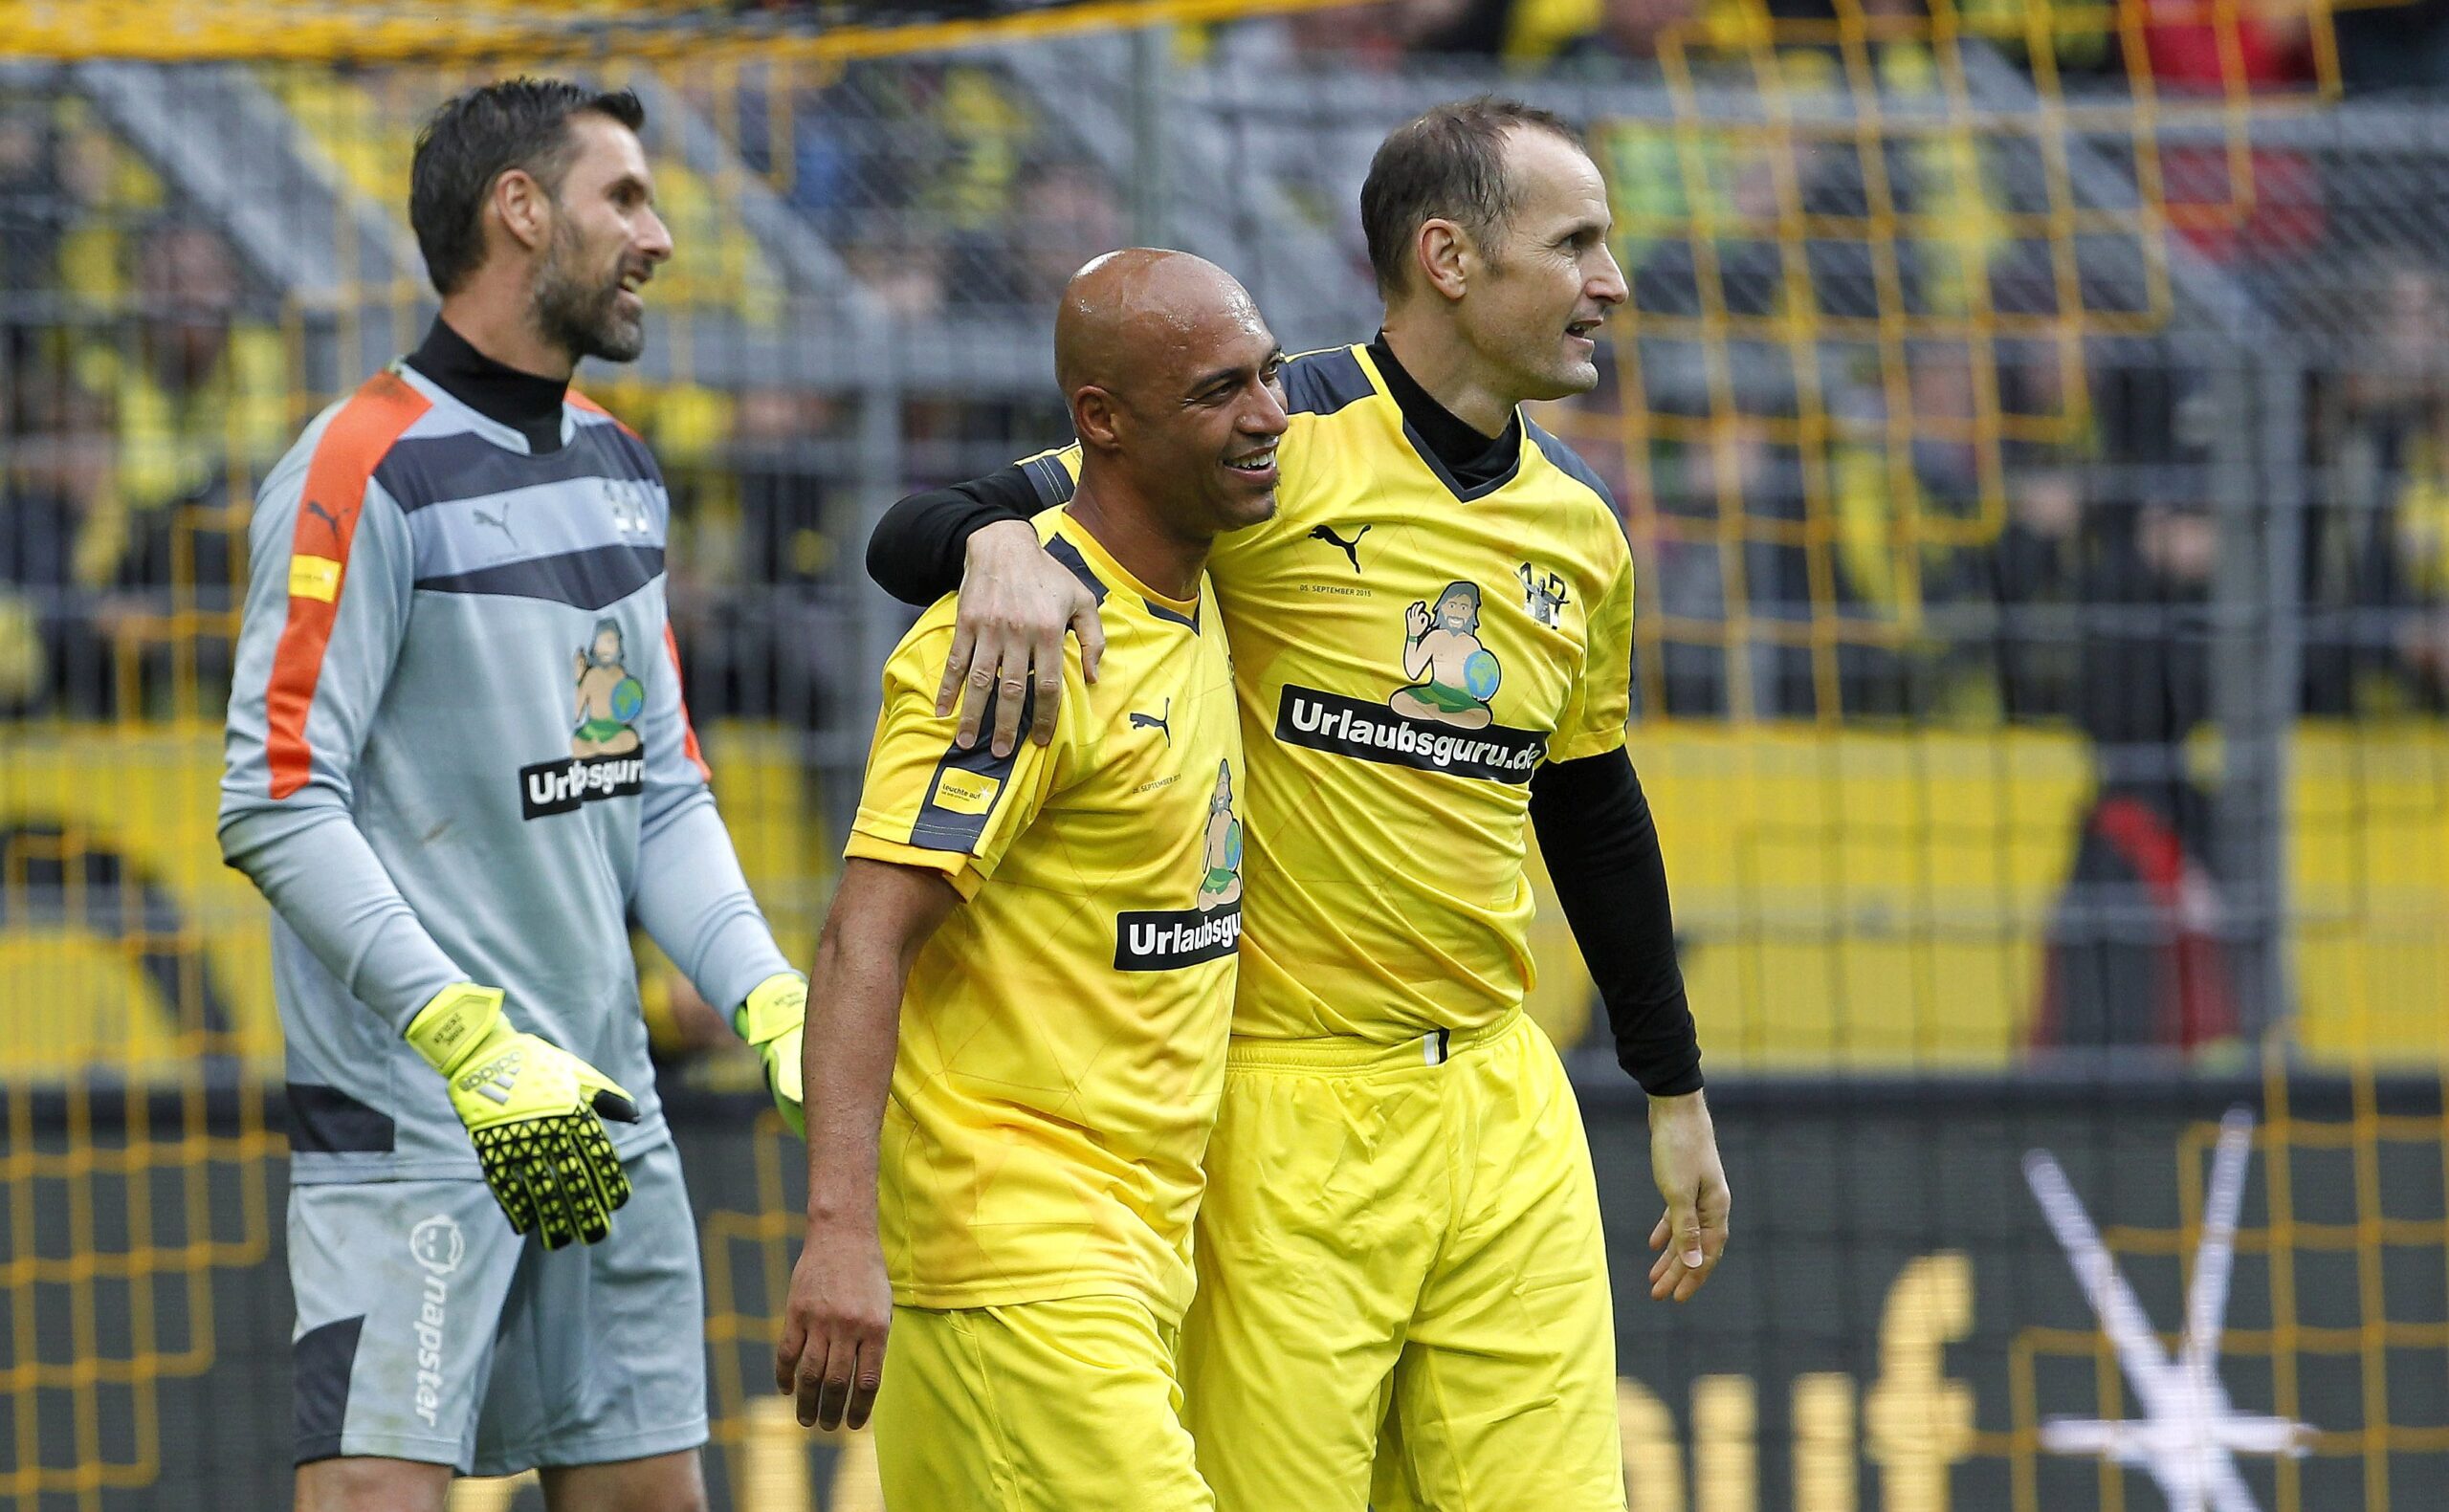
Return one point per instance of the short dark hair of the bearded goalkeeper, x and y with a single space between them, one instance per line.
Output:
476 138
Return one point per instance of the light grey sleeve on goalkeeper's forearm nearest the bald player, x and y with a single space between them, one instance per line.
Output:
697 904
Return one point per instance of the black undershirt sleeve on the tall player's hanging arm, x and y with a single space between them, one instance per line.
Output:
1603 858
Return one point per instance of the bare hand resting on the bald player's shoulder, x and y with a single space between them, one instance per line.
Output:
1015 610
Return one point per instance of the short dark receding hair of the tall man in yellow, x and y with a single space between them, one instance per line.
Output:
1446 165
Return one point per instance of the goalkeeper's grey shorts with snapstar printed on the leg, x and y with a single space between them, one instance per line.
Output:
430 1332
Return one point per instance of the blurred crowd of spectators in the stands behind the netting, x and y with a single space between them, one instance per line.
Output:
1904 513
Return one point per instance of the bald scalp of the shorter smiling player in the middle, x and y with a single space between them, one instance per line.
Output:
1142 314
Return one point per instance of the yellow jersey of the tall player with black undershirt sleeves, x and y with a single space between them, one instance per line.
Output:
1407 654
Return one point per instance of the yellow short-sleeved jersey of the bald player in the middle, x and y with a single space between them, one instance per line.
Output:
1064 1031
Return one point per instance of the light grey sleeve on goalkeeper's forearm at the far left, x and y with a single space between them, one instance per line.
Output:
329 887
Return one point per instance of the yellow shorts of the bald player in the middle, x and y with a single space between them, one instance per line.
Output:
1067 1406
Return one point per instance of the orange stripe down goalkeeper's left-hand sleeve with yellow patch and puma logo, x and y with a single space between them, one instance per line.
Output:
337 478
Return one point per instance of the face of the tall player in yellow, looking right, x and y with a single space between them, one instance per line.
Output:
1544 278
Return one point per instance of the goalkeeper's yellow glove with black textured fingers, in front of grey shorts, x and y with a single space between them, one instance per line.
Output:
535 1114
